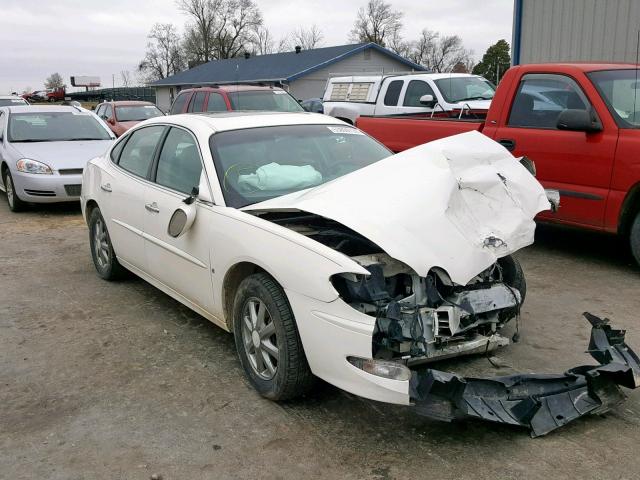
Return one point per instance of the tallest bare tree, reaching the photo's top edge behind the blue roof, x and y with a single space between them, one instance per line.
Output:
219 28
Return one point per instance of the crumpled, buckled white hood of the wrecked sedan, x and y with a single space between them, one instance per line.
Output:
459 203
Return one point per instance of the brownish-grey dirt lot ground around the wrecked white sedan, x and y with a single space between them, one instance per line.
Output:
117 380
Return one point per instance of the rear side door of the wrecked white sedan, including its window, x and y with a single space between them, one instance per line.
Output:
122 186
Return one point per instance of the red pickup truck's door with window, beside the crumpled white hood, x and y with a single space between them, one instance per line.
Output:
578 164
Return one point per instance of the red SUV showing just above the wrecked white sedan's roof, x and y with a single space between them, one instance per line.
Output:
234 97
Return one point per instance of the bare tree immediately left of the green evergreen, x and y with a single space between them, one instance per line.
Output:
439 53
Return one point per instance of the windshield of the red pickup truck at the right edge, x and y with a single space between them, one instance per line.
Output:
620 89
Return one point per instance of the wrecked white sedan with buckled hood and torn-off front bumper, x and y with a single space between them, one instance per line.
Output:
321 251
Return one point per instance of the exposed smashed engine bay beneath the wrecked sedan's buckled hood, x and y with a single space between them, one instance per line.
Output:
417 318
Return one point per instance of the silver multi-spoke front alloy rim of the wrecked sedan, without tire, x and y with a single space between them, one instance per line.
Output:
259 338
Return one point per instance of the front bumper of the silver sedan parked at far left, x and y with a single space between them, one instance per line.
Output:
47 188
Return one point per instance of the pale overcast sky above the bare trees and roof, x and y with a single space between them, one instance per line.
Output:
98 38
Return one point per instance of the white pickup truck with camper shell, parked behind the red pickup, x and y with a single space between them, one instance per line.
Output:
349 97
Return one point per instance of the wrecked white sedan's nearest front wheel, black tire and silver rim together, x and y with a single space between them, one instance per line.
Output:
267 340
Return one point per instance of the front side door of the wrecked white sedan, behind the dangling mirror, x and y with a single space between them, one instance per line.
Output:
181 263
